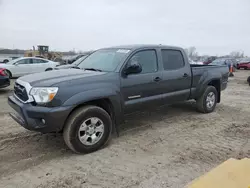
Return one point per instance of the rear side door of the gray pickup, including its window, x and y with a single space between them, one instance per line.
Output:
177 76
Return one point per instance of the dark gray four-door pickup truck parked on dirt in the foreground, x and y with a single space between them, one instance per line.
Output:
87 103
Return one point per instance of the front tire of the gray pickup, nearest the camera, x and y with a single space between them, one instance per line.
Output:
72 133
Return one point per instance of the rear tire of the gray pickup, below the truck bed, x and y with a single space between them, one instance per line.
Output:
201 102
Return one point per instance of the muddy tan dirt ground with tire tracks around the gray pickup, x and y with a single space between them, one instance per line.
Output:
167 147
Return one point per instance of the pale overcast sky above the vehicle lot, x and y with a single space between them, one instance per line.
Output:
212 26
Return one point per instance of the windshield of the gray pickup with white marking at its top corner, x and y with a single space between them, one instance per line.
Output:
104 60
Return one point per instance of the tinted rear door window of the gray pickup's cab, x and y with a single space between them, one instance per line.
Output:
172 59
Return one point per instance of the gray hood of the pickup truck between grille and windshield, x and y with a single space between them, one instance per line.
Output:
50 78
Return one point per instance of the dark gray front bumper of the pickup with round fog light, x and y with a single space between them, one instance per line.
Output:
38 118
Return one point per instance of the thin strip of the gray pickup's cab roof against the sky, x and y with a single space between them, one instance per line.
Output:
138 46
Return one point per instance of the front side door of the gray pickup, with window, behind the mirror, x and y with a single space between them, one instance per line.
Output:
142 90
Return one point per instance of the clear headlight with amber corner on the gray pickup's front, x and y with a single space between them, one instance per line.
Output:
43 94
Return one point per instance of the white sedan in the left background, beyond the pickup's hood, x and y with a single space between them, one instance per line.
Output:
28 65
